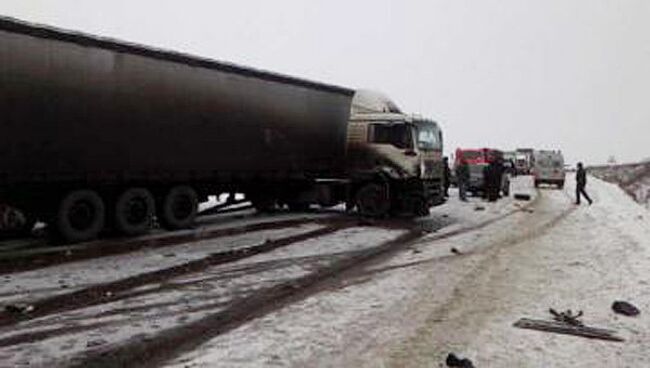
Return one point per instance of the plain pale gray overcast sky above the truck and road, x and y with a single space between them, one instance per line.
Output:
566 74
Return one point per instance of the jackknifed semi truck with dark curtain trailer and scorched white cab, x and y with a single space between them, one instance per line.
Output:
102 134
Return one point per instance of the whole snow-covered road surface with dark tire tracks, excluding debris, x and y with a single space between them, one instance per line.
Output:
333 292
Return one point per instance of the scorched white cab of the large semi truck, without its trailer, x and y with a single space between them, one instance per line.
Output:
399 156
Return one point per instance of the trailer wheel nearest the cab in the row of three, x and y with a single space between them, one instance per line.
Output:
179 208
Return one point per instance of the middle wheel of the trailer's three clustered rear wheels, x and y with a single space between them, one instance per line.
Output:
133 211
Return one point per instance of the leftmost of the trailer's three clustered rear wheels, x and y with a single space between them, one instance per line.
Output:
80 216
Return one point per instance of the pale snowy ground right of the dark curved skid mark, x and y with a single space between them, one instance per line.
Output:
424 303
